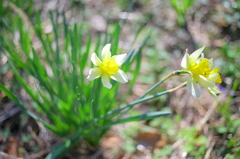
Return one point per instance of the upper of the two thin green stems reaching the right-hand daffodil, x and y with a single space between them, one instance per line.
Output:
174 73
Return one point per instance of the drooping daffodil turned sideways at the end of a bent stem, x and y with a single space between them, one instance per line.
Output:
202 72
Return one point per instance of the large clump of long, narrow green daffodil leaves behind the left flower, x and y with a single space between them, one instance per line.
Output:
75 108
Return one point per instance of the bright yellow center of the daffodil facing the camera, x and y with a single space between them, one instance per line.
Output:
109 66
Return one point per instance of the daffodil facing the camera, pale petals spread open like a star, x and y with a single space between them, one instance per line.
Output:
108 68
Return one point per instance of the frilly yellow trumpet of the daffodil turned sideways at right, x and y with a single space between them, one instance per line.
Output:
203 68
